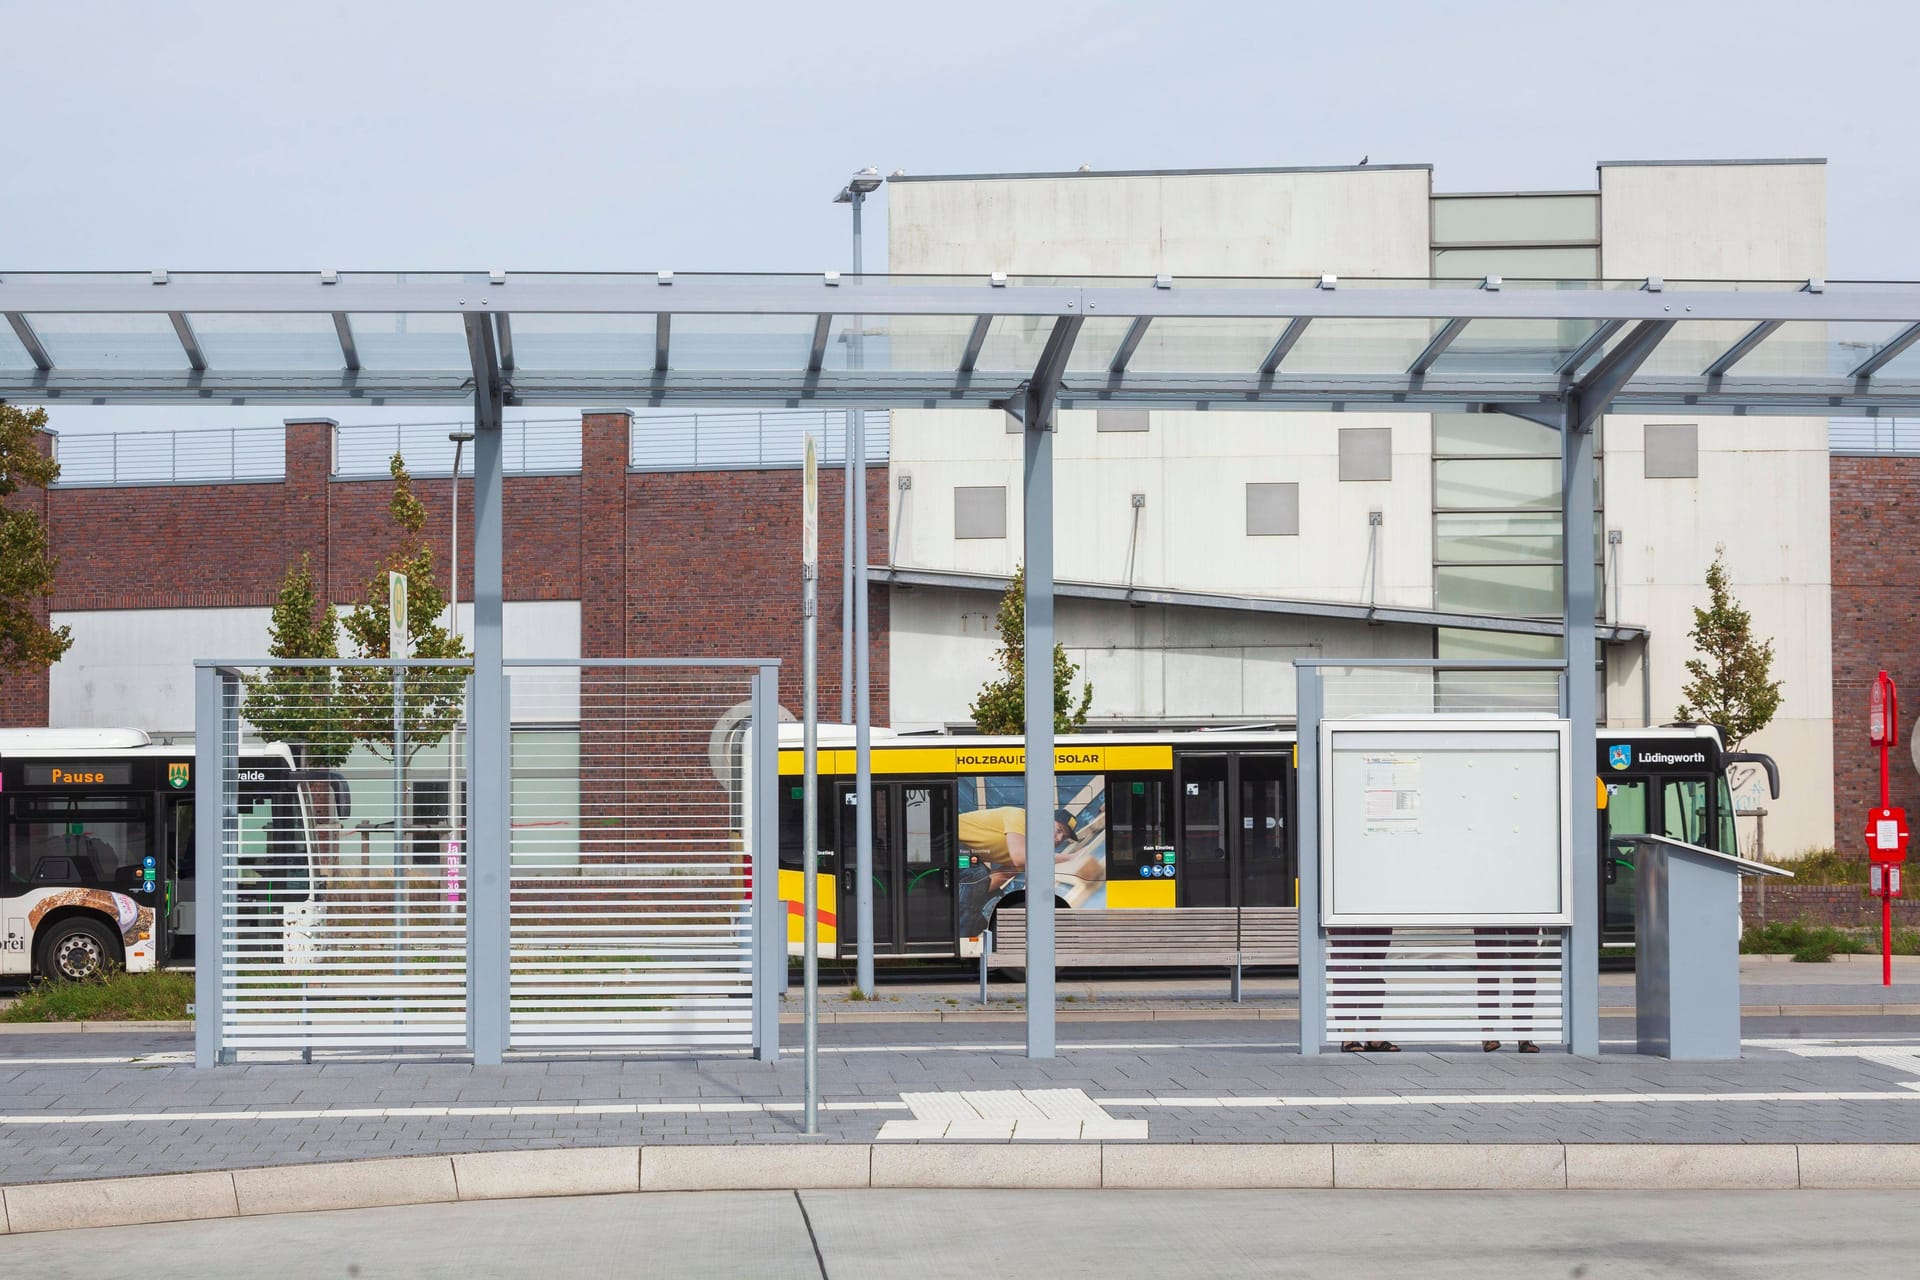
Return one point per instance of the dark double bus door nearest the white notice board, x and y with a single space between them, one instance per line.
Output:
1232 830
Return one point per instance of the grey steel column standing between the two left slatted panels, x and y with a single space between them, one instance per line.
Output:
489 872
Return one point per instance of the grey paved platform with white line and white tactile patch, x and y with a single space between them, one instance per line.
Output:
87 1106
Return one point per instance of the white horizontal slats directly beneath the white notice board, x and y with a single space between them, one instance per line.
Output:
1445 985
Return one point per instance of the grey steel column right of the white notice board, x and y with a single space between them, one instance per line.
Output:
1577 575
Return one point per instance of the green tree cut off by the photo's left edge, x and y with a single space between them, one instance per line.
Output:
26 556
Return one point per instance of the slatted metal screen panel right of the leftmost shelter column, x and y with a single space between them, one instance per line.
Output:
633 916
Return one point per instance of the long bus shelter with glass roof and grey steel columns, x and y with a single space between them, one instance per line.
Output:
1554 352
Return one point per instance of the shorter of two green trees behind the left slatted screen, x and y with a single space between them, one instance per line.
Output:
297 705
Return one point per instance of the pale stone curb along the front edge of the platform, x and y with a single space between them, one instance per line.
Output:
606 1172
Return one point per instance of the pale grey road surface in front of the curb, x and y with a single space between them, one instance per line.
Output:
974 1235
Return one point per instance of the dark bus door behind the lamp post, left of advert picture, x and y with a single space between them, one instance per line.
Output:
913 866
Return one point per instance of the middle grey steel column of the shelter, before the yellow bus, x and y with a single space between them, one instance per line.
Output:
1038 531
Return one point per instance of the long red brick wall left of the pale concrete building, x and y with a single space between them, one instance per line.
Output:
665 565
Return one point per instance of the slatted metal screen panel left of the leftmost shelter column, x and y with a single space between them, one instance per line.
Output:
339 874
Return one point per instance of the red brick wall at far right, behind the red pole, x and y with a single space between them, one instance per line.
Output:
1877 625
